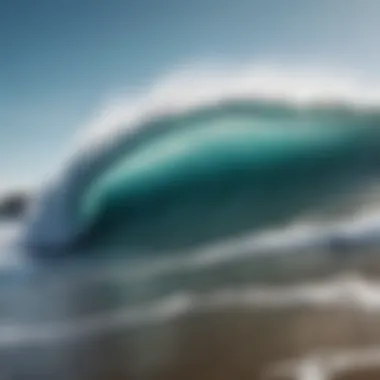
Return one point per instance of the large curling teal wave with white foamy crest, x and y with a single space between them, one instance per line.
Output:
193 164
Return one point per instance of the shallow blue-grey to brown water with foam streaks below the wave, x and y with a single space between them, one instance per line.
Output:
247 315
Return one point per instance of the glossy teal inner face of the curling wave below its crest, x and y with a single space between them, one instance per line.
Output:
220 174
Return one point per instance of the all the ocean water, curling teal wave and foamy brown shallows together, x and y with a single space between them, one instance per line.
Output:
233 235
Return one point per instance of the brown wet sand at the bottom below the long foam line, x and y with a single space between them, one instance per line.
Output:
222 345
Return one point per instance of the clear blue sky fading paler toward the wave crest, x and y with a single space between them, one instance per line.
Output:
60 60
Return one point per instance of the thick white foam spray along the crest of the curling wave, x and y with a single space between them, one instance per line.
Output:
194 86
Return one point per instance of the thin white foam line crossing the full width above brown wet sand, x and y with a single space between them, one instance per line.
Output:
339 292
